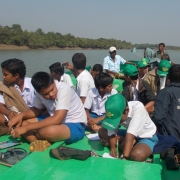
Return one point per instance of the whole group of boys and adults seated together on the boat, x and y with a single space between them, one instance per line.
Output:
46 108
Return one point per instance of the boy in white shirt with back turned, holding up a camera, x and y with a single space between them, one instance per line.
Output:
84 79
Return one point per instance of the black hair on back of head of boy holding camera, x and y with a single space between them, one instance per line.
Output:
79 61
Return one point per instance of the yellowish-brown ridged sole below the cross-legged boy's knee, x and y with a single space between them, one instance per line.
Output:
39 145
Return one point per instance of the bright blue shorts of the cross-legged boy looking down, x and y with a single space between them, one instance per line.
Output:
77 132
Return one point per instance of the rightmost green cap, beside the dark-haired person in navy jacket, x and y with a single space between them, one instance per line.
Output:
163 67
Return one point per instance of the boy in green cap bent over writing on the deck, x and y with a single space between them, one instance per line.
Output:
138 141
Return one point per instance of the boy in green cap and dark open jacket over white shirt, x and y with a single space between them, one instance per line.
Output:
136 90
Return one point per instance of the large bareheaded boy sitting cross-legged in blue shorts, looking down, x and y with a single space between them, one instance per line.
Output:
67 118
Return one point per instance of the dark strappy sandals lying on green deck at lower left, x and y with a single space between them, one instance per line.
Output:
12 156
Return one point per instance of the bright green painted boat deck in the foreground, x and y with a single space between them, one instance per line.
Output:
40 165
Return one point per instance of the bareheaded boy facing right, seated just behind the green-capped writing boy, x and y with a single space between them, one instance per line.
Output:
96 98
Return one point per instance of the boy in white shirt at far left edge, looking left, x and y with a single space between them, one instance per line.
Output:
14 71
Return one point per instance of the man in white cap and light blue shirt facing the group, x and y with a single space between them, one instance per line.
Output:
112 64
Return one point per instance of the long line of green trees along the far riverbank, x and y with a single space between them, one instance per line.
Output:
15 38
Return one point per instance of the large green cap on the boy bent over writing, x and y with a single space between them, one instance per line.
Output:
114 106
